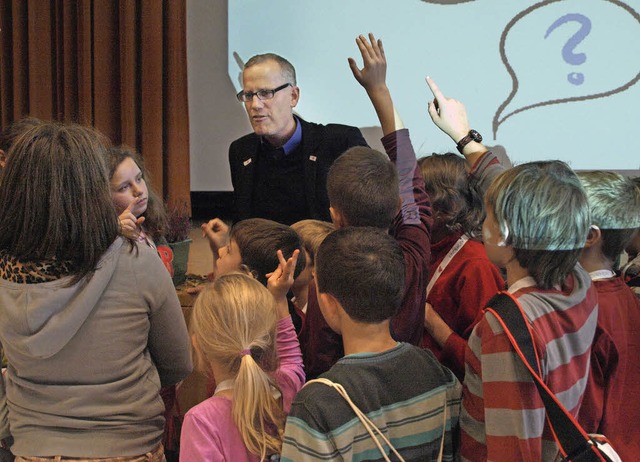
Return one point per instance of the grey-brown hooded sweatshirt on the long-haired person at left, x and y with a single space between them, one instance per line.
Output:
86 362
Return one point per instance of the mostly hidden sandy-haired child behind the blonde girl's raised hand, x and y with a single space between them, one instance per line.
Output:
312 233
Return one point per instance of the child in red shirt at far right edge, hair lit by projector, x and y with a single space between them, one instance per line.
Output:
609 406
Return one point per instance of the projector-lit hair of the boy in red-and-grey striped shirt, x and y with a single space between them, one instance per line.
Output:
543 214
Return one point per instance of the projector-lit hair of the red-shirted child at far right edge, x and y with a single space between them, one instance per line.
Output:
614 202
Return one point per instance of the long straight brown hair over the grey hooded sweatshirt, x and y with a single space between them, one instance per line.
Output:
55 201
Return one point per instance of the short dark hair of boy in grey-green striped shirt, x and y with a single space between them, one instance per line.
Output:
363 268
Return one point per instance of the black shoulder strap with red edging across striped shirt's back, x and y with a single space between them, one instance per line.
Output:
574 442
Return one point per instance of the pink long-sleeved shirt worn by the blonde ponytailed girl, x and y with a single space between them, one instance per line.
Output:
208 431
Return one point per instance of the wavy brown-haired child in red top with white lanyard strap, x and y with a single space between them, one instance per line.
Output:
463 279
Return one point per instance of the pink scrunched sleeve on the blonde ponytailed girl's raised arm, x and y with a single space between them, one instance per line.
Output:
290 374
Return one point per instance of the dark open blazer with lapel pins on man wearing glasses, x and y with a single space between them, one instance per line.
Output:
321 145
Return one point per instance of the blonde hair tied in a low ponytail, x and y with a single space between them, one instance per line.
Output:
234 325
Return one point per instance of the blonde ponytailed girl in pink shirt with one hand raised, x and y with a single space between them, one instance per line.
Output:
243 335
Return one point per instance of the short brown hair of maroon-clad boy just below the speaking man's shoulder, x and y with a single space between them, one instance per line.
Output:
363 185
